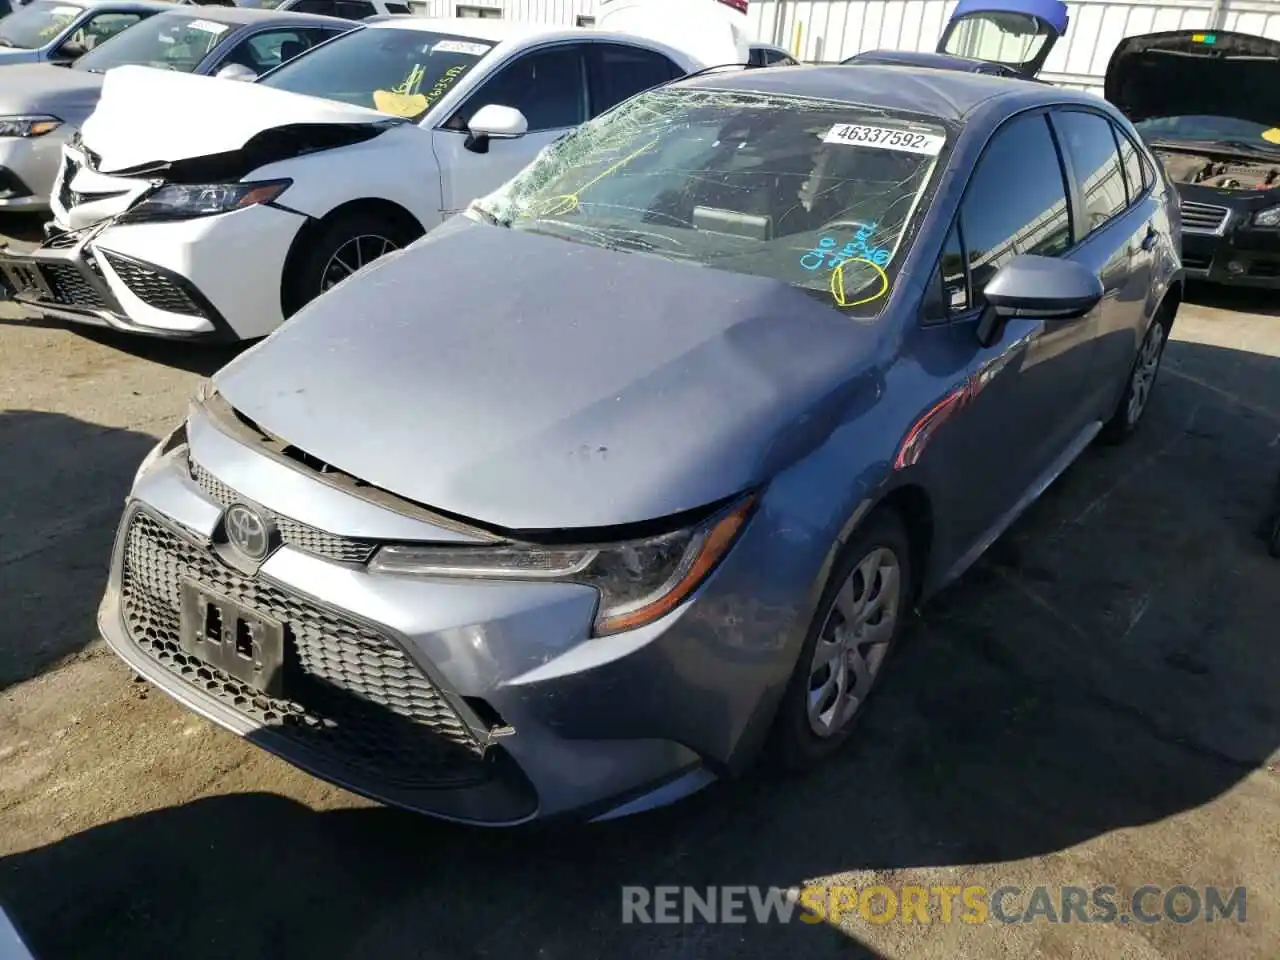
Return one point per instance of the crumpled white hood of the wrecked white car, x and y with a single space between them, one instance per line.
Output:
149 116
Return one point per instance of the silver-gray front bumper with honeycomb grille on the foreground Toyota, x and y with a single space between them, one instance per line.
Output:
476 702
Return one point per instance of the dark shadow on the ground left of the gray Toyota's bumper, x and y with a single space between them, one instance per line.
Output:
62 487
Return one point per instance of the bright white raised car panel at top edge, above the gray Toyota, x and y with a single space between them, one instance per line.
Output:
714 33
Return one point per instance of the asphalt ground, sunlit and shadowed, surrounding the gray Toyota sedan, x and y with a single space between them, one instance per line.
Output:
1096 703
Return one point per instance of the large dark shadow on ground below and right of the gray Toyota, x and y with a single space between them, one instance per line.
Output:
1109 665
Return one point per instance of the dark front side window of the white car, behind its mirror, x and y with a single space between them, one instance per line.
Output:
546 86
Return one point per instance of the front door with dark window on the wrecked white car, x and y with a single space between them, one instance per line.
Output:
547 85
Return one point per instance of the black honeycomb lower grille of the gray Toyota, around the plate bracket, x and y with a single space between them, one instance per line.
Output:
354 696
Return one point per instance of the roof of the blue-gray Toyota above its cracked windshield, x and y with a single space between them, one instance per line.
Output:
944 94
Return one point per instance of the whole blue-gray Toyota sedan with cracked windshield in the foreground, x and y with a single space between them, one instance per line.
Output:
634 472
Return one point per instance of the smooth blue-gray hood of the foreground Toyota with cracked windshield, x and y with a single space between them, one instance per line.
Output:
531 383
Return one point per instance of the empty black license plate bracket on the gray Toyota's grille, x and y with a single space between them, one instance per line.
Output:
235 639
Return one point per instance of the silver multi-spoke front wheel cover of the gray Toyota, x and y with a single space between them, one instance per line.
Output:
853 642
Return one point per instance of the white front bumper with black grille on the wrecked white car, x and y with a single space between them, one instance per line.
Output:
214 278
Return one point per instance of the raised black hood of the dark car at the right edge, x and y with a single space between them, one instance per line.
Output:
1187 74
